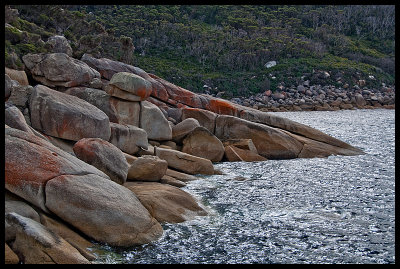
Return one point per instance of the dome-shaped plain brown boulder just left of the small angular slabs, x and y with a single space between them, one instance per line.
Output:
202 143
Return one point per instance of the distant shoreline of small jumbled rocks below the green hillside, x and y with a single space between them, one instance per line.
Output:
321 98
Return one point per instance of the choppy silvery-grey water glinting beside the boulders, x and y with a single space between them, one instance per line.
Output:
322 210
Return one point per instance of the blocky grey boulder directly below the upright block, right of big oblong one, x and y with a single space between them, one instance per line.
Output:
128 138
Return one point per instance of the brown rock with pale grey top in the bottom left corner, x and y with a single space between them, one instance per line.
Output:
38 245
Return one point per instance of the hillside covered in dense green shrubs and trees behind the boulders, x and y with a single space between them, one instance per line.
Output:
225 47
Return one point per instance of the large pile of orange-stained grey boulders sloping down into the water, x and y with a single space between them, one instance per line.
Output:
96 149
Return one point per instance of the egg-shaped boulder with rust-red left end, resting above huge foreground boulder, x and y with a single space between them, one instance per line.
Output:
104 156
